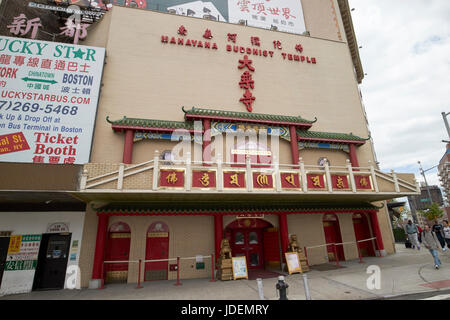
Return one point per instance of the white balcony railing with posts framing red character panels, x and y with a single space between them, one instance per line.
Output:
372 176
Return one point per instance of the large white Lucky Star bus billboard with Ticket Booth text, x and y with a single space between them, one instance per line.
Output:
48 100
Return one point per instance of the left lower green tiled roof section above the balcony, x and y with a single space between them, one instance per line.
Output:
149 124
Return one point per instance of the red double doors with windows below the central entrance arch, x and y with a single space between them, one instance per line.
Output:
248 243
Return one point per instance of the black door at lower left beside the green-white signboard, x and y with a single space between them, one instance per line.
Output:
52 261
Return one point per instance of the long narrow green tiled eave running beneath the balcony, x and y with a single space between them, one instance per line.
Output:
231 209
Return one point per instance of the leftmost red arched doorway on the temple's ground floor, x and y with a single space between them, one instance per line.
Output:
117 249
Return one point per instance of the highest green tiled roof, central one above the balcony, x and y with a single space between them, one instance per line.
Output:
247 116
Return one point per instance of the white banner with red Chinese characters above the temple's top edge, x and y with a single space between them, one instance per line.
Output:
286 15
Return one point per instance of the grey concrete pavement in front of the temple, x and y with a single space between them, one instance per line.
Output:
403 274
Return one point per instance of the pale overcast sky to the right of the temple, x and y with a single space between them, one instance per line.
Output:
406 55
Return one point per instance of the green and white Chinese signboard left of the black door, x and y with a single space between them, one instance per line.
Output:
23 252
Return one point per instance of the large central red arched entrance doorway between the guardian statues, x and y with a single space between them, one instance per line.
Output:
256 239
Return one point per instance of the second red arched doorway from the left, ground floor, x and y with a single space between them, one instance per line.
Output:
157 247
